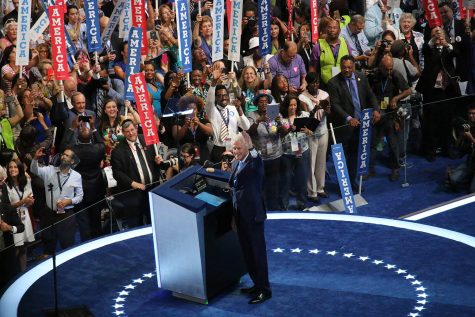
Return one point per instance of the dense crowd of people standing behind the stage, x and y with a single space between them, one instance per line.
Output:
59 138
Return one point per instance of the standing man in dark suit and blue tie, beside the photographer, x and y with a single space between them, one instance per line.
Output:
350 93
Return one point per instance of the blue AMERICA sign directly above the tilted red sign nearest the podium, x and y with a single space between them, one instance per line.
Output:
133 59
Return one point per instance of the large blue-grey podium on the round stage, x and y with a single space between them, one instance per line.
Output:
197 254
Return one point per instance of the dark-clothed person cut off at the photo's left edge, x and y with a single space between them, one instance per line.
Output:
10 223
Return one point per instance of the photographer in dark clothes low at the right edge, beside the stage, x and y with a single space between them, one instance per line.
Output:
463 176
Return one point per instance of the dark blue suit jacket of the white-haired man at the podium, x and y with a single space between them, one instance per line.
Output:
246 186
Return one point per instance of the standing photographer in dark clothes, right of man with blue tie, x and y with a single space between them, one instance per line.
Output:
390 89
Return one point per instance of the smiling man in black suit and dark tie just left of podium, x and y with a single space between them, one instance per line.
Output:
134 166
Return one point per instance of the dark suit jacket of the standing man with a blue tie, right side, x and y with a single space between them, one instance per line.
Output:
341 102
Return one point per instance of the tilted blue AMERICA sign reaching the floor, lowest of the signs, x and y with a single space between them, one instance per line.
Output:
343 178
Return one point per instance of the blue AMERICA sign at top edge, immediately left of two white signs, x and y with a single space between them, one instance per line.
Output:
184 34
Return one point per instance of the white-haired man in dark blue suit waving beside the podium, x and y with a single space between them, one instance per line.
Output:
249 213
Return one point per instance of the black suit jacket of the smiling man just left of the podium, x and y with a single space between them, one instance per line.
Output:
125 170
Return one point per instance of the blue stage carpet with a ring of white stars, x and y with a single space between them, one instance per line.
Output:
317 268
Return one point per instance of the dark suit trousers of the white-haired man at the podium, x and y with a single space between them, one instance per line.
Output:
253 245
